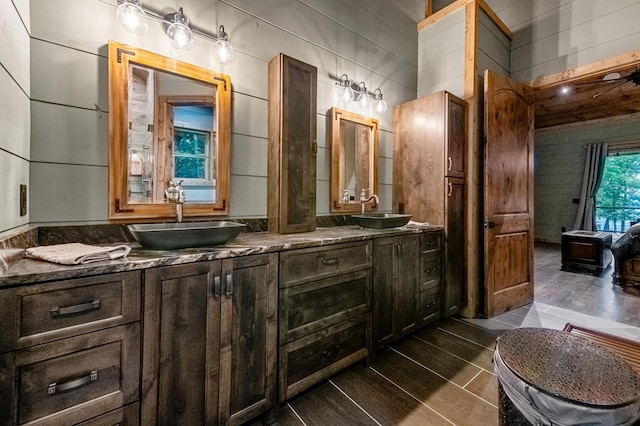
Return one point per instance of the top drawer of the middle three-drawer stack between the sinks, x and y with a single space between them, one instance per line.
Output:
311 264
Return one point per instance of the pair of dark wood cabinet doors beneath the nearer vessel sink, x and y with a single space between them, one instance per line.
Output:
210 341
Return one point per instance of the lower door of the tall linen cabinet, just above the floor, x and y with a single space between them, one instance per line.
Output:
455 294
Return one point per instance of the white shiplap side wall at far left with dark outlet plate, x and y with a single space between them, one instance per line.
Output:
14 111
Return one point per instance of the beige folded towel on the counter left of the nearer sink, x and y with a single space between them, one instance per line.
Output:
76 253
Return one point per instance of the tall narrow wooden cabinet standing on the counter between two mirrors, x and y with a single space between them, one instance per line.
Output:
293 146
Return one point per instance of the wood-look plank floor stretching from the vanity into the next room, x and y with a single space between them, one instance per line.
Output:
443 375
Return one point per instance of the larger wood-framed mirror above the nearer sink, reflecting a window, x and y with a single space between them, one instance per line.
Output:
168 122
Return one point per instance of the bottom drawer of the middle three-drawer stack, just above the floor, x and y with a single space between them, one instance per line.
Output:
313 358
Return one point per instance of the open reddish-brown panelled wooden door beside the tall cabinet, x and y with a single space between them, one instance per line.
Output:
508 192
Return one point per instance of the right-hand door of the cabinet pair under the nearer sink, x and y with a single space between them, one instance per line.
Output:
248 342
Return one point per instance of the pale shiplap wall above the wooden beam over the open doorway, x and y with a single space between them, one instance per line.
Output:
550 36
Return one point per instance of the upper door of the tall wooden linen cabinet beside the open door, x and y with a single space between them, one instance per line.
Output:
455 115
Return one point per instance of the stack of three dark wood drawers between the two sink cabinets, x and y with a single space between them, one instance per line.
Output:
325 313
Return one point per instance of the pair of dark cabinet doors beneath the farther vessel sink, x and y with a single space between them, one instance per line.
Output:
395 288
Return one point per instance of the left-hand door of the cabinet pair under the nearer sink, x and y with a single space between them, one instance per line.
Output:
180 344
